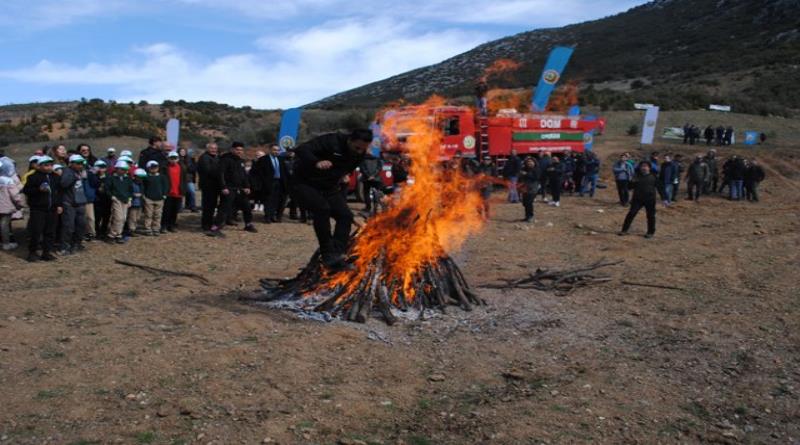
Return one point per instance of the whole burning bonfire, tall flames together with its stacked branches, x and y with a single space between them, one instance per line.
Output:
399 261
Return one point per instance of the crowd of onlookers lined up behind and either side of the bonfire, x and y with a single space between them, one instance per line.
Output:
74 197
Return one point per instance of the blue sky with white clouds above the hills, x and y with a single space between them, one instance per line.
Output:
263 53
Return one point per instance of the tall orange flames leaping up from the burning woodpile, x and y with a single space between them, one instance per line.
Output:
431 216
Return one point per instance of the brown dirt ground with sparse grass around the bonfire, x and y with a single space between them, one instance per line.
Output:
95 352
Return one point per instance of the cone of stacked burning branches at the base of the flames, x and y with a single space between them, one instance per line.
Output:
439 284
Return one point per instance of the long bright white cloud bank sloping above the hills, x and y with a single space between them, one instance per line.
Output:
292 70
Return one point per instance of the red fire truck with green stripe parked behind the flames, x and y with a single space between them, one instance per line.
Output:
497 136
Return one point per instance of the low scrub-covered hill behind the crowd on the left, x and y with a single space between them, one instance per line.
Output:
201 122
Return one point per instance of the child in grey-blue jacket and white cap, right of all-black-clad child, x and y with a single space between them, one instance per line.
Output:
73 199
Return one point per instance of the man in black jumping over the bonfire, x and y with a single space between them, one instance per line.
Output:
321 164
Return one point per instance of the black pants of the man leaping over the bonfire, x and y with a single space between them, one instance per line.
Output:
324 205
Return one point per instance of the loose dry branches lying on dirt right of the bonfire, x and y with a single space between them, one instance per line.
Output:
561 282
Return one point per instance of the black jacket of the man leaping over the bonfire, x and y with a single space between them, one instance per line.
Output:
331 147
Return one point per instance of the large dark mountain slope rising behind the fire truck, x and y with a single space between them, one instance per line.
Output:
681 54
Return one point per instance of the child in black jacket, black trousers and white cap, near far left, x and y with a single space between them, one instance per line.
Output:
41 191
